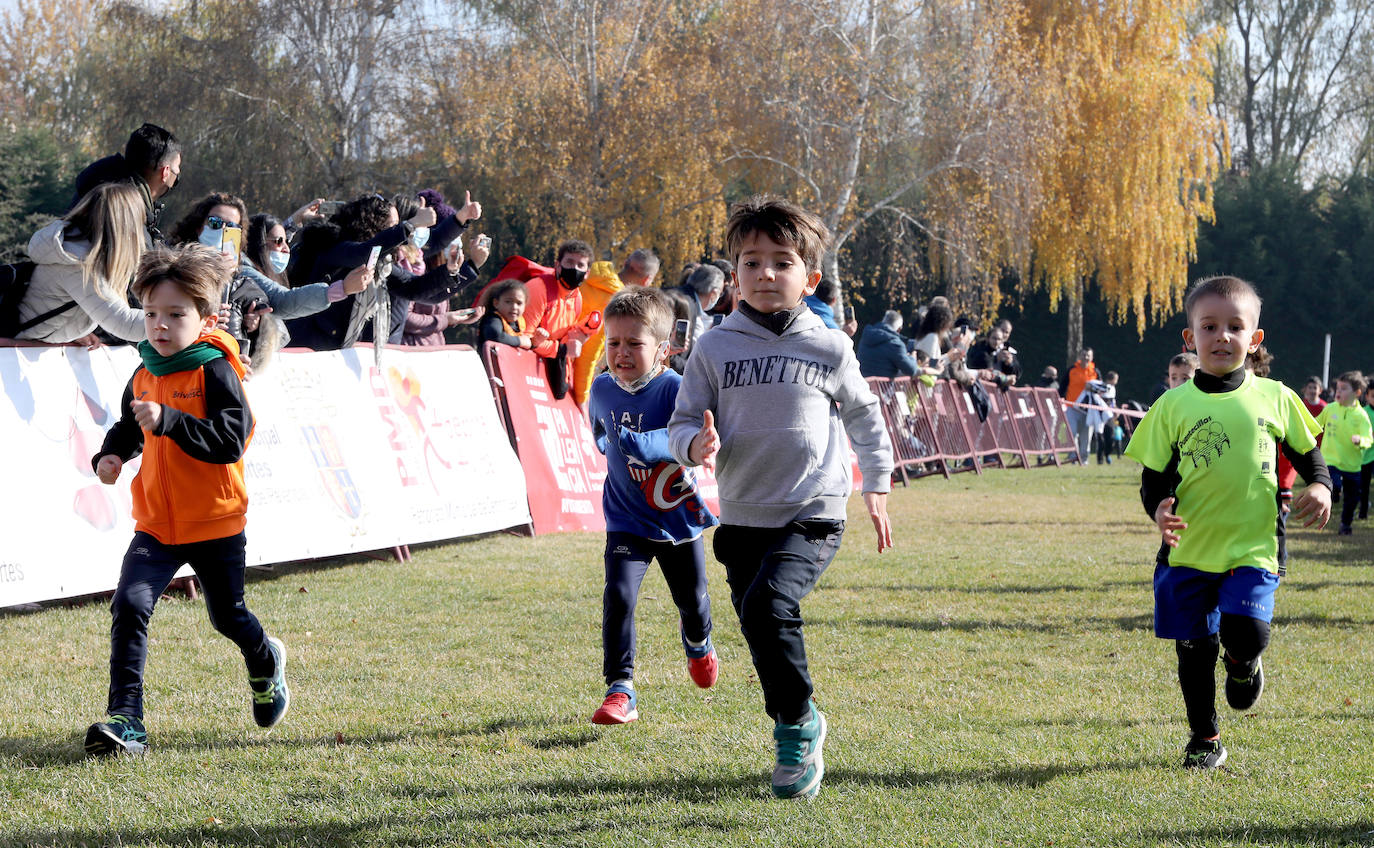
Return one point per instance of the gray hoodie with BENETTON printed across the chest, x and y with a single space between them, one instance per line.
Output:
782 406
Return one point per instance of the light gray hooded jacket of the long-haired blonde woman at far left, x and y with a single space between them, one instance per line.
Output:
58 280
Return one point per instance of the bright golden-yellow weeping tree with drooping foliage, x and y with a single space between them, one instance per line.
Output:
1131 175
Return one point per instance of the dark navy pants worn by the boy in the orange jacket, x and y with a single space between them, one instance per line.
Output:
149 568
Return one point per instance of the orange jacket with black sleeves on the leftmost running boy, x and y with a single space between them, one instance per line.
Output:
190 487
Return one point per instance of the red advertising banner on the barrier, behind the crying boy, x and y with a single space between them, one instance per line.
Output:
564 471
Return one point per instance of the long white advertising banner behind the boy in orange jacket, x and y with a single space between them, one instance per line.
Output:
346 457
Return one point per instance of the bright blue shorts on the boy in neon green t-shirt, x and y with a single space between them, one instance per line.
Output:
1189 604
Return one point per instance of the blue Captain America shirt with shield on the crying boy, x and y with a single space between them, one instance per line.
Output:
648 493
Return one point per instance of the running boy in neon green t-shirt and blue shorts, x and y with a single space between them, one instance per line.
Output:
1210 451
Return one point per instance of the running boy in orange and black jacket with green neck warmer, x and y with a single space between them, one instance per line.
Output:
185 410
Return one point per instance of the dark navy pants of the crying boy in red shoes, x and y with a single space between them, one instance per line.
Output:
627 561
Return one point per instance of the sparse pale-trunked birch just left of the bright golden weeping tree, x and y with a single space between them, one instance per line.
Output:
908 113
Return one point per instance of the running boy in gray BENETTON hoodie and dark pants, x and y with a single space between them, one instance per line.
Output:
767 399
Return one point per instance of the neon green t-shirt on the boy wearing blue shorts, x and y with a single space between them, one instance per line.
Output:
1225 449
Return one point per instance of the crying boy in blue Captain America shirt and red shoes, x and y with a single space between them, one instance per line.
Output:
652 505
